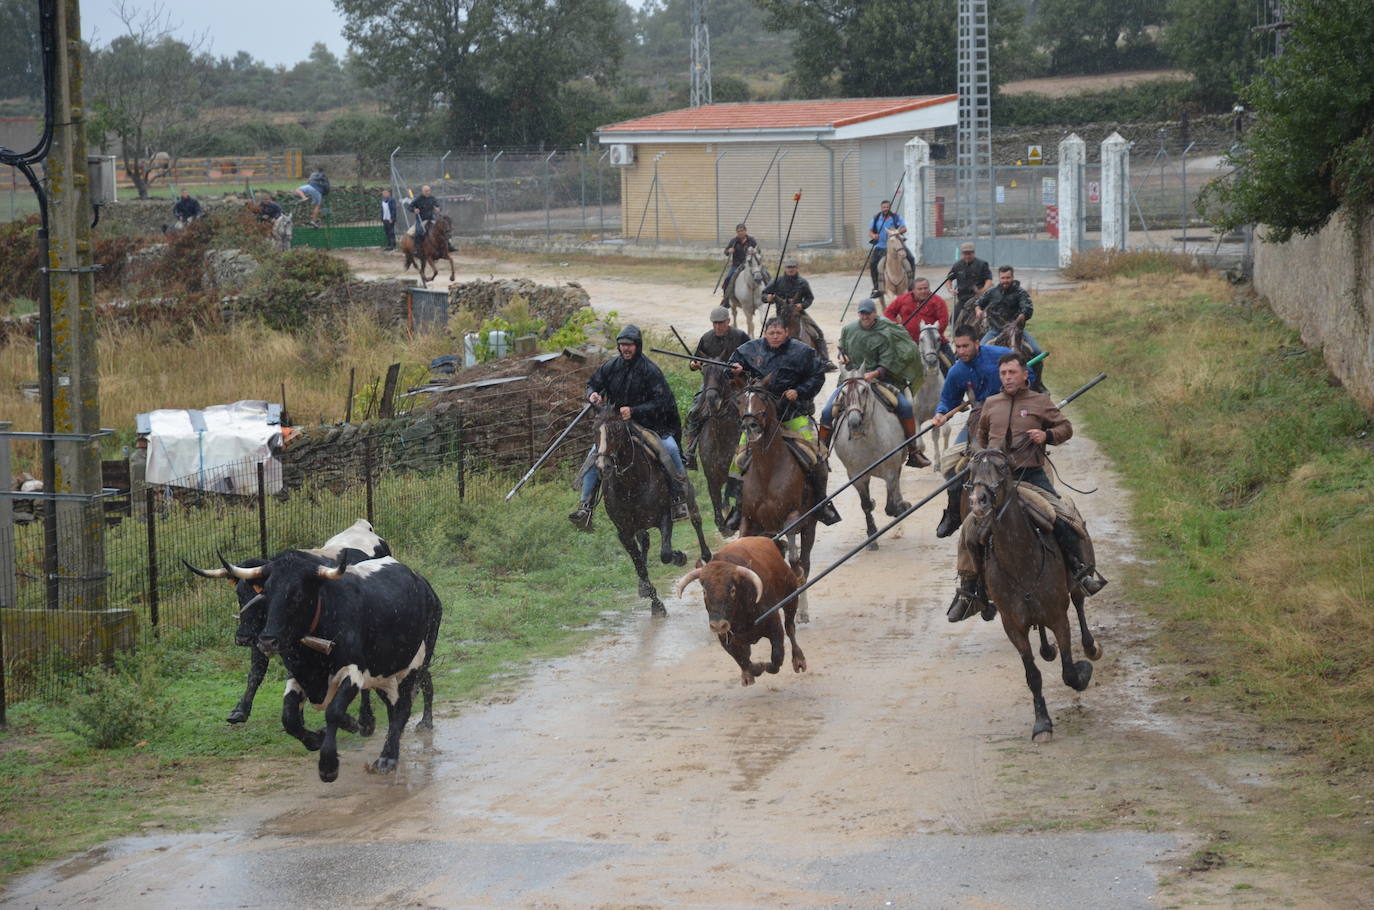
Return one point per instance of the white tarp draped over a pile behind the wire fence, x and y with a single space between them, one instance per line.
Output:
215 449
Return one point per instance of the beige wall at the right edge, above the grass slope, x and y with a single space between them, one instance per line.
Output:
1324 287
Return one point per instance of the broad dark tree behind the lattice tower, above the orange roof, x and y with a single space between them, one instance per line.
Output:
881 47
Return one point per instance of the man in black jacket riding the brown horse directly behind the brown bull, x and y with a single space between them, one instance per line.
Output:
796 376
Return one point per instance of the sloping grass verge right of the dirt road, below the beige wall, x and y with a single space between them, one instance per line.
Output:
1254 489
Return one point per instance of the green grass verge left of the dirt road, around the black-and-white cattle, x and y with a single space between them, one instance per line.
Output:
516 584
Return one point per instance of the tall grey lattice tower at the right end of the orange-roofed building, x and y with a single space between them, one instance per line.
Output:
975 131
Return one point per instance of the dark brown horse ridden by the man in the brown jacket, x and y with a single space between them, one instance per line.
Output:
1028 578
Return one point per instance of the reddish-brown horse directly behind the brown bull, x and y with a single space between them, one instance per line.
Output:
777 490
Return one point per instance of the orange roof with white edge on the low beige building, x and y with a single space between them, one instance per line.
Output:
837 119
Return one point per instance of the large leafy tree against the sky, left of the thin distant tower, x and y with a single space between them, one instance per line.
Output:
498 71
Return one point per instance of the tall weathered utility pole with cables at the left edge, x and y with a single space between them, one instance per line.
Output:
74 380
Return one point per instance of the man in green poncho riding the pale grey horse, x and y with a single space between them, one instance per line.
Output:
892 358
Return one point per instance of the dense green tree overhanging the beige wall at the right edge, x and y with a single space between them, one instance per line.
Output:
1310 149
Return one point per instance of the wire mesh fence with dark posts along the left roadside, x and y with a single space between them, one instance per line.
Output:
466 458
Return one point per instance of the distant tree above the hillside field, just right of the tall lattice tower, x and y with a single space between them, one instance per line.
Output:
1097 36
